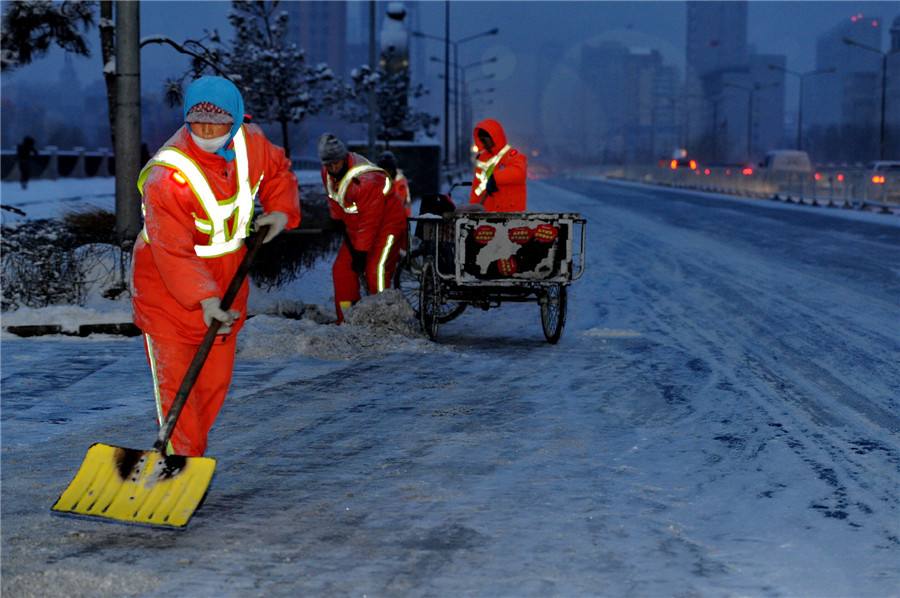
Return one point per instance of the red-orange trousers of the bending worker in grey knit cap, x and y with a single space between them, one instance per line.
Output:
381 262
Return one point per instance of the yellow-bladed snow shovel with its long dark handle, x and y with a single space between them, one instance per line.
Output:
151 487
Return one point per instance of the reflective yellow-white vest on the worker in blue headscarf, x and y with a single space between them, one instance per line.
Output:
222 238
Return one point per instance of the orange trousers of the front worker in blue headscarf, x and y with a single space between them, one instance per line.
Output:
169 362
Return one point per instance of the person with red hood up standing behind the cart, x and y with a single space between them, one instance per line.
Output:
500 171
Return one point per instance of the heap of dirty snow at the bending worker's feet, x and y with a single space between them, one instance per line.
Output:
378 325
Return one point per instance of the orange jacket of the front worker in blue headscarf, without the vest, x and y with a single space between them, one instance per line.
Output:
169 278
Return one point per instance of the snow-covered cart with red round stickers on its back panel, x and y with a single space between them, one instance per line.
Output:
458 259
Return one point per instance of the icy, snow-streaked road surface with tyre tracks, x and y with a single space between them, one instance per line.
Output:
721 418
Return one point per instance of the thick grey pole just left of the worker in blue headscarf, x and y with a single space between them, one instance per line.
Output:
128 122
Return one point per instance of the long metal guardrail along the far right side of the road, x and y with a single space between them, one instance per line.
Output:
849 188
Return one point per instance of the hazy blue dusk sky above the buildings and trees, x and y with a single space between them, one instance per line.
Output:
527 29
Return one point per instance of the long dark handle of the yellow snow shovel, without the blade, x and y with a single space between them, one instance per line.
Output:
190 377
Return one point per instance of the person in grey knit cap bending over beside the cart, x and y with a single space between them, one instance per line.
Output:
372 218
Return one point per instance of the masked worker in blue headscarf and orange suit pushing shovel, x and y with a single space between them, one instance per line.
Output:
198 202
